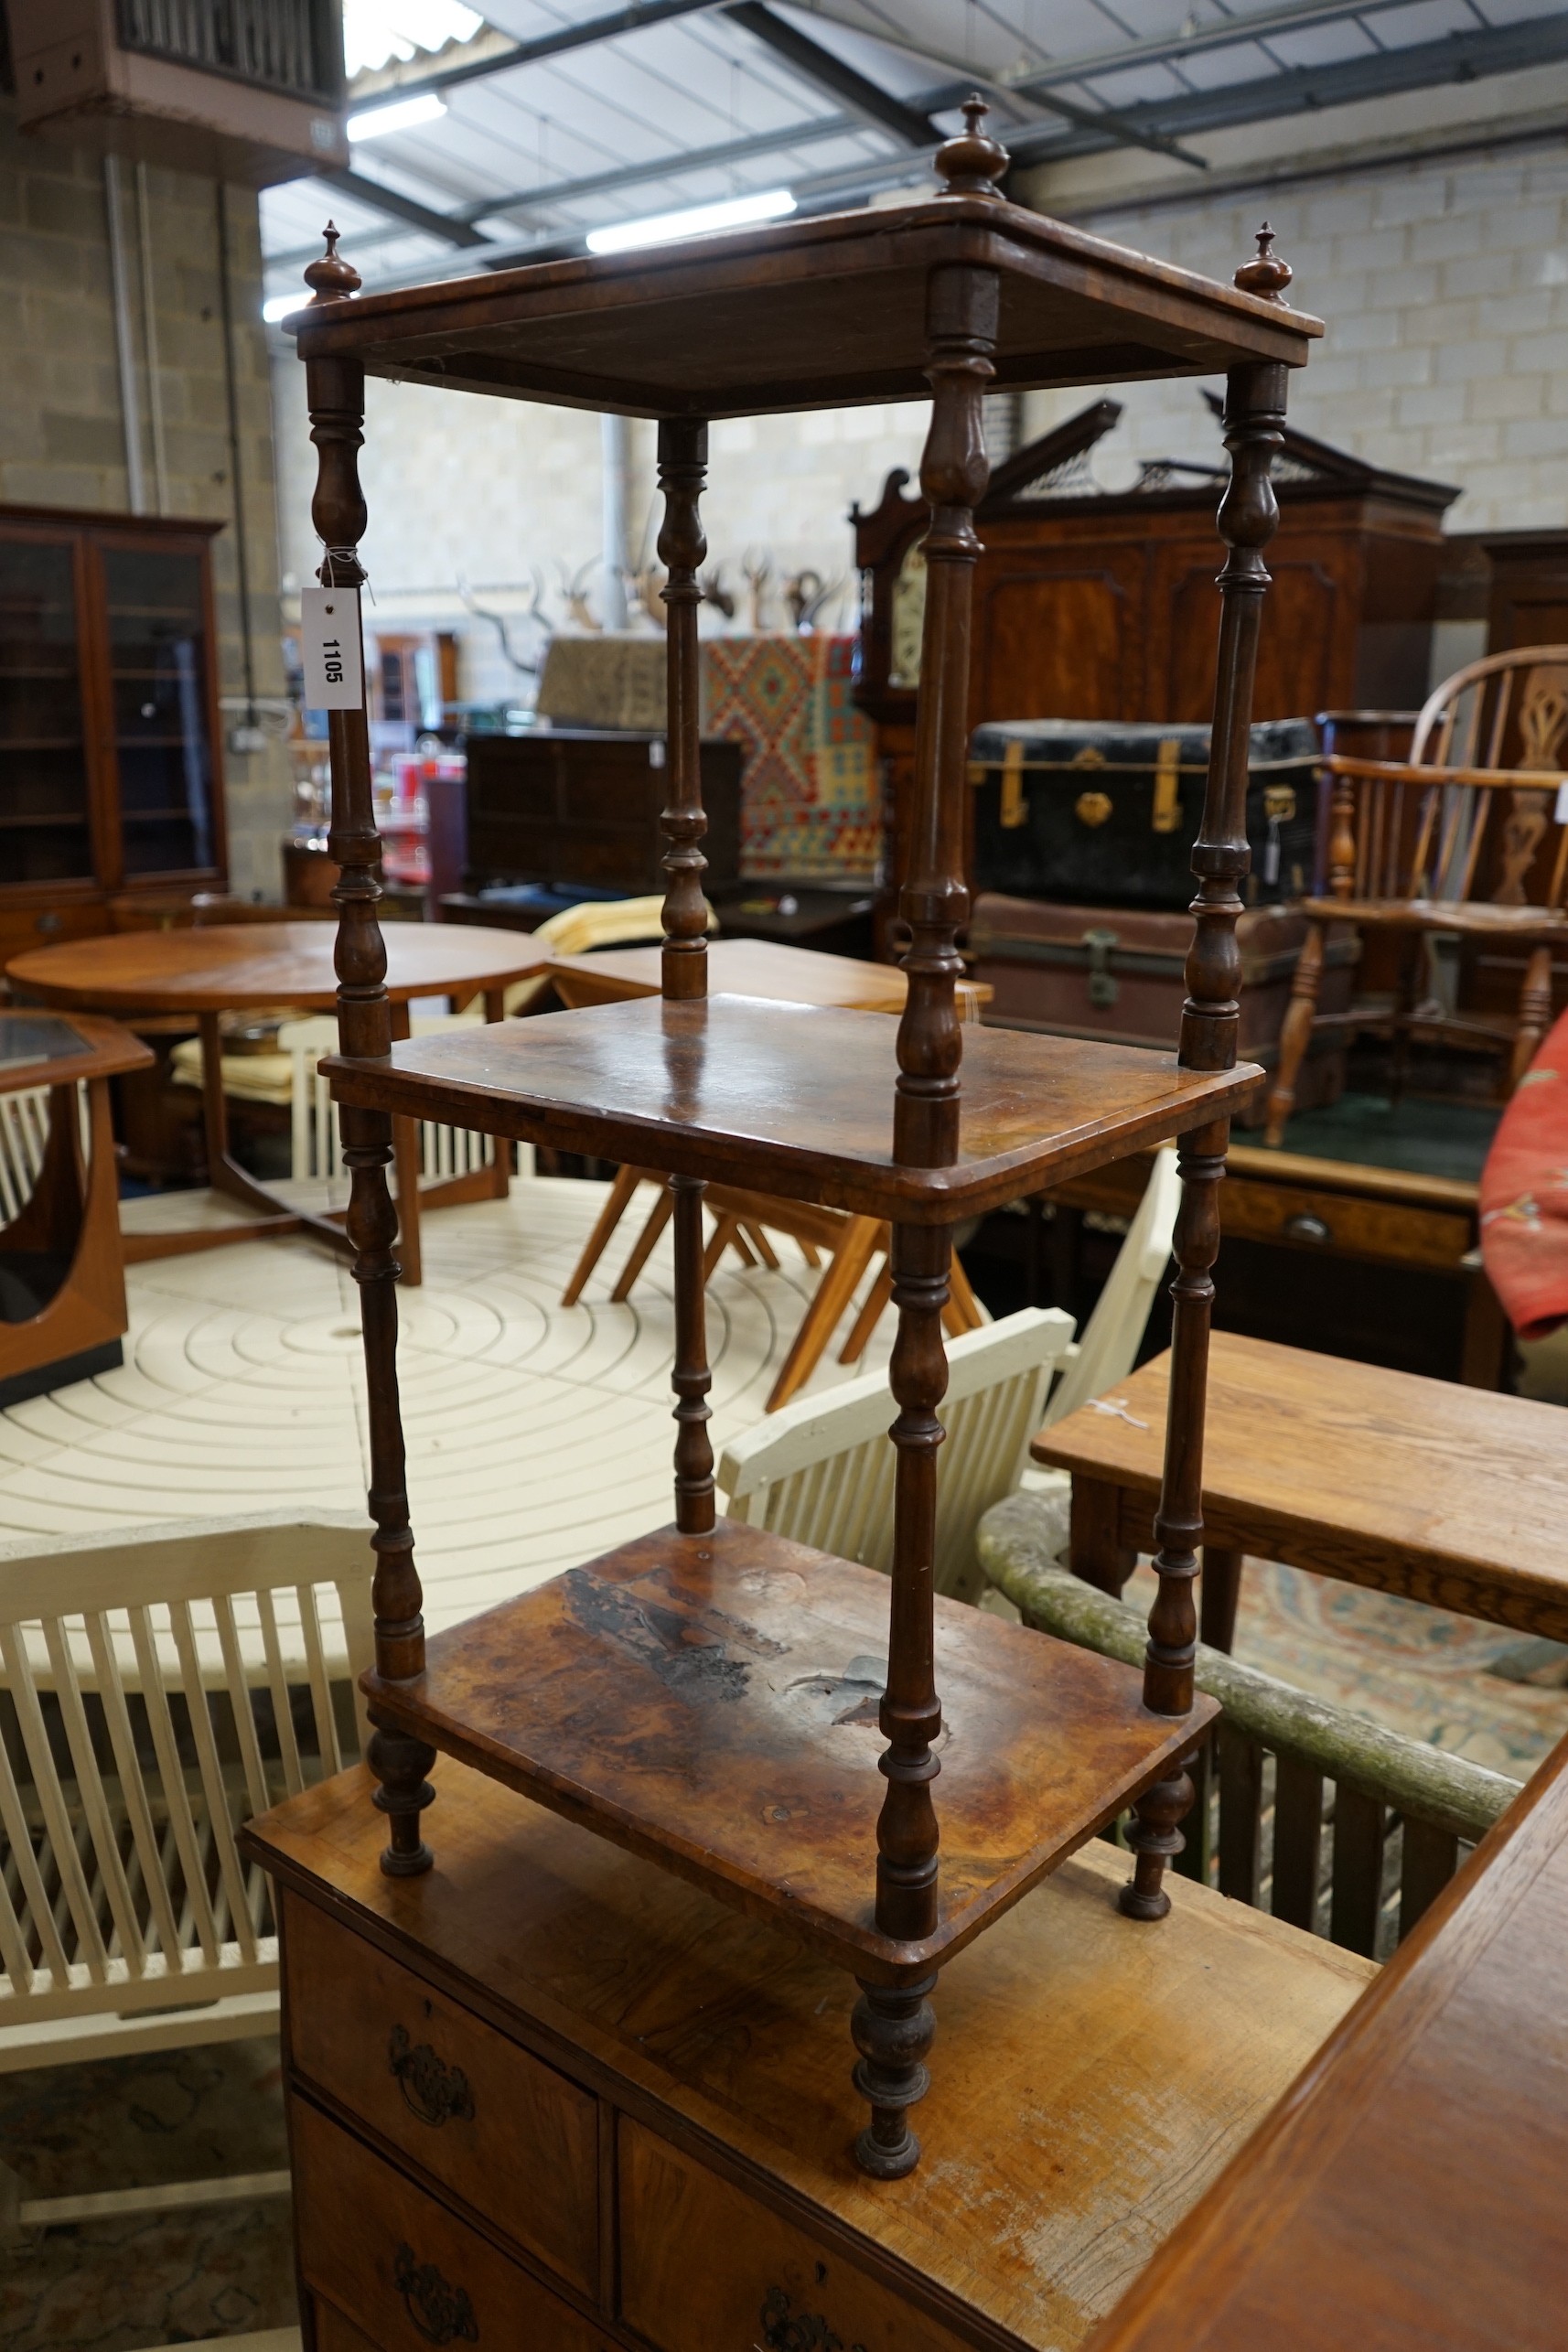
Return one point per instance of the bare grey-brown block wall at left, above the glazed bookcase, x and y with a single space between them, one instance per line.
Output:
62 427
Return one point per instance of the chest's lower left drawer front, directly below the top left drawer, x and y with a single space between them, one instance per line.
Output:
408 2271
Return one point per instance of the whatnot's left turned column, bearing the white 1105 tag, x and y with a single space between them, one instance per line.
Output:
366 1031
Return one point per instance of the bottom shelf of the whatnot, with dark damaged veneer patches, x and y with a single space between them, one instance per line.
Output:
711 1704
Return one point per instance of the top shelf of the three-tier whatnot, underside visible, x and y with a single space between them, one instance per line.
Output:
805 316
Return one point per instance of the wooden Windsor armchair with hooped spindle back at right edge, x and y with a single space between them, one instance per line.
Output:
1461 841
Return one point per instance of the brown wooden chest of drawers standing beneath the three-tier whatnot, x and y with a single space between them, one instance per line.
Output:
575 2092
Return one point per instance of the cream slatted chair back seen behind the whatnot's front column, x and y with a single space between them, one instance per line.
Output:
822 1469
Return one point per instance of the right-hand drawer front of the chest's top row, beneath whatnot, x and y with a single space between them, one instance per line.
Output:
706 2269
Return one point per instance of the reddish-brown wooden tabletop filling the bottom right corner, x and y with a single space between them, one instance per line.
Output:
1409 2193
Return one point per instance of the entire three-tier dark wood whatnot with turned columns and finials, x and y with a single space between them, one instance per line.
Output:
732 1706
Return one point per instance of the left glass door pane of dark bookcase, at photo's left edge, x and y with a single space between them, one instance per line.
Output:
46 813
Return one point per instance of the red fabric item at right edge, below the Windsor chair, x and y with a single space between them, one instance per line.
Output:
1525 1196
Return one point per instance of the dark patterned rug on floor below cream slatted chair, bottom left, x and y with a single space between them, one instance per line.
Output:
147 2278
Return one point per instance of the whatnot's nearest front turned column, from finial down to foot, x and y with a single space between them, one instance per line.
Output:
894 2026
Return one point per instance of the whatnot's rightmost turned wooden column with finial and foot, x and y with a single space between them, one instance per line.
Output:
1254 432
